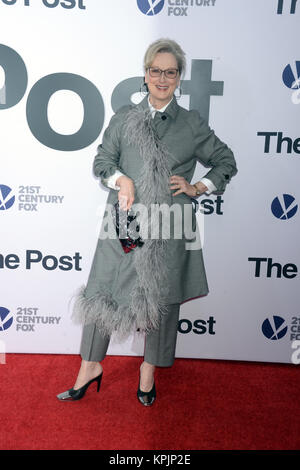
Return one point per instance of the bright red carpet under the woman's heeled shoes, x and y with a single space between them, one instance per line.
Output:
201 404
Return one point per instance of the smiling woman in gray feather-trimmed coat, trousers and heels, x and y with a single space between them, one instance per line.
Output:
147 158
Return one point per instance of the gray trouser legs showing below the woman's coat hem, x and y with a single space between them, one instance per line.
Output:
160 345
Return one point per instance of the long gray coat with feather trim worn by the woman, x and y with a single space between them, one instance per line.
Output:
129 290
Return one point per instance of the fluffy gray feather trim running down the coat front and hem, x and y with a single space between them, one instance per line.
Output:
145 304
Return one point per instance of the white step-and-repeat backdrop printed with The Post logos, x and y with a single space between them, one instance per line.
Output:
65 67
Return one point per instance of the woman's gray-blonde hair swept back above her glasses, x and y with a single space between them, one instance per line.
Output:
165 45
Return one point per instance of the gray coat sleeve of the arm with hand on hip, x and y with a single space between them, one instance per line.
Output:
212 152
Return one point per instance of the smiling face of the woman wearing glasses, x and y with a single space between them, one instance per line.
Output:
161 88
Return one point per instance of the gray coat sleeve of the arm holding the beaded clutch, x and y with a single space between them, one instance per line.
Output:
106 162
